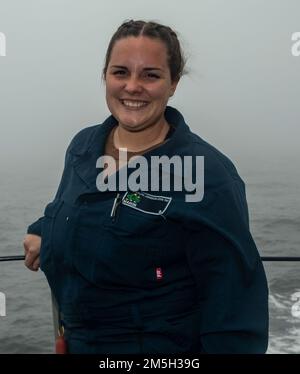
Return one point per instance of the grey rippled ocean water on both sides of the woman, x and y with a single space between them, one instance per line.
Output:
274 206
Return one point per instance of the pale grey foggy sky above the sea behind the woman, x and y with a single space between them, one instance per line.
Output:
241 93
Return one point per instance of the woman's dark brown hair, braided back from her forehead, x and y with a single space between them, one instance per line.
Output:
176 60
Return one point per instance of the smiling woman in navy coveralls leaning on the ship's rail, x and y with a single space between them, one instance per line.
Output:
150 271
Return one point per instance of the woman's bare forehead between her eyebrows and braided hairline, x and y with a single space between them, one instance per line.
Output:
136 51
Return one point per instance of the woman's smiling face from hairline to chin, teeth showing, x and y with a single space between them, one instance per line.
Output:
138 82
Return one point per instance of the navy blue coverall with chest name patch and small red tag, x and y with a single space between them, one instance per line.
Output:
160 275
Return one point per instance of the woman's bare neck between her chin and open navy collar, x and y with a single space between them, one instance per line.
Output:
140 140
